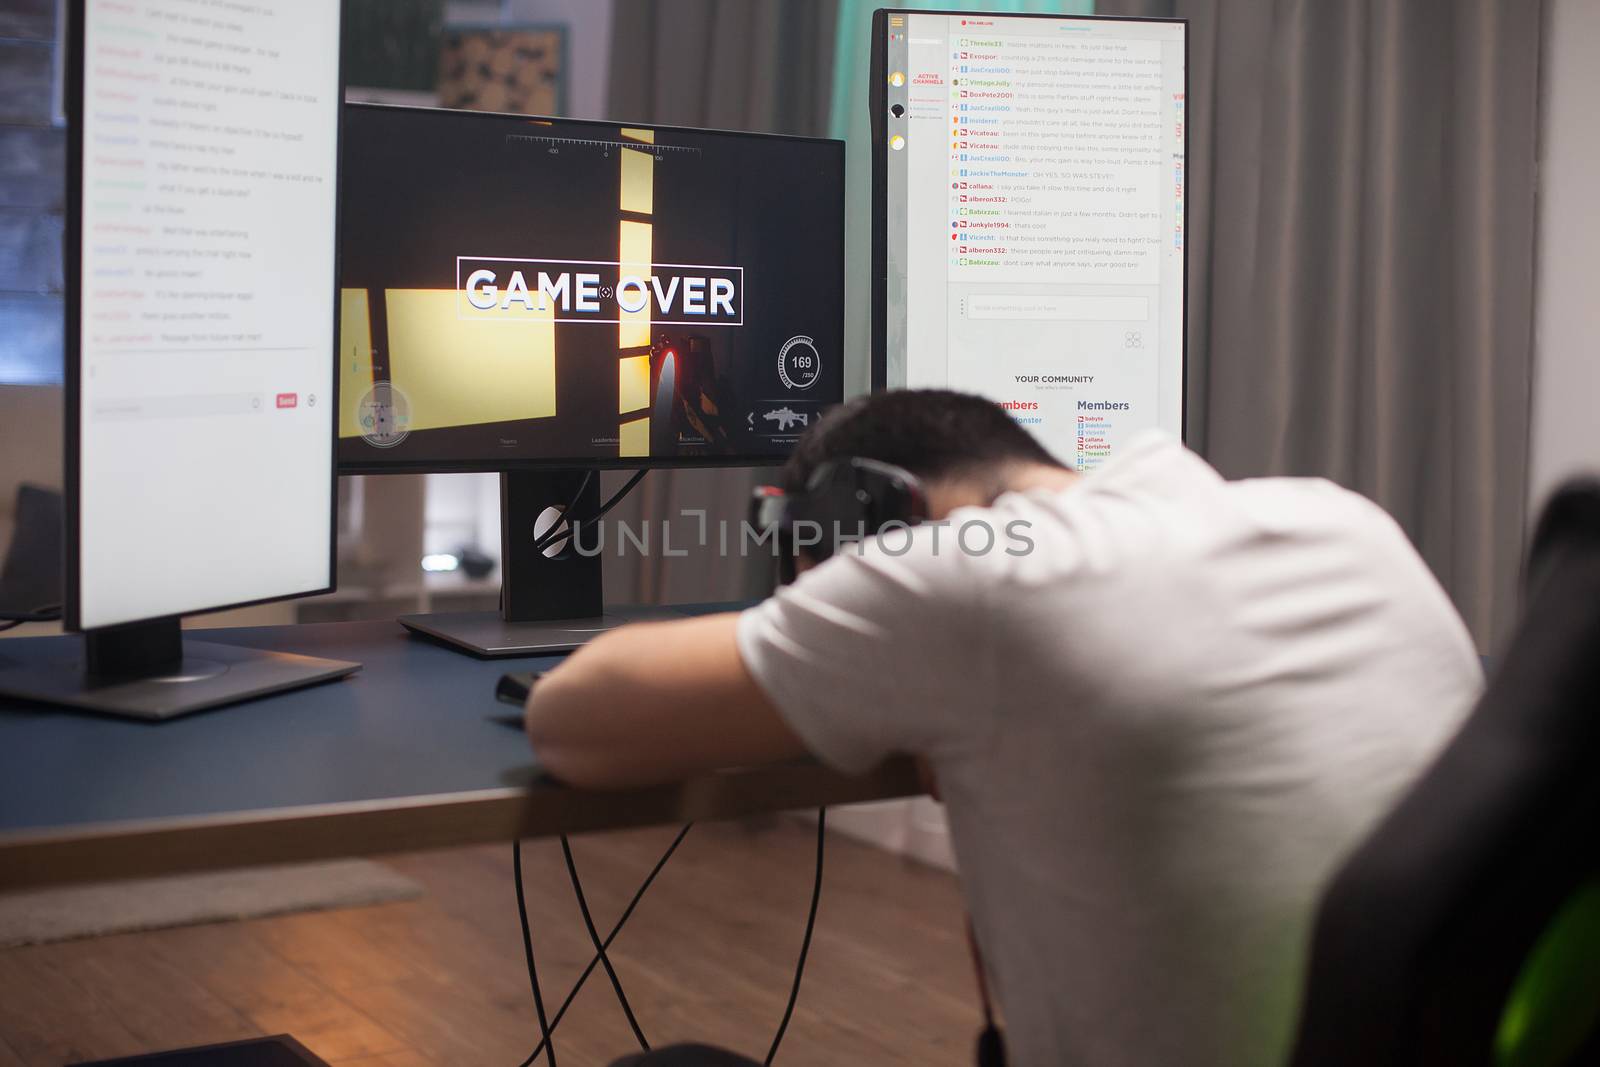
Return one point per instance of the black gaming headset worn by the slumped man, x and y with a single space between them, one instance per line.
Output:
844 500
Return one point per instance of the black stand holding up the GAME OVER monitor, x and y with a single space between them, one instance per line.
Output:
551 599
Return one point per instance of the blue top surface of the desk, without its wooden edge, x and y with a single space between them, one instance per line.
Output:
414 721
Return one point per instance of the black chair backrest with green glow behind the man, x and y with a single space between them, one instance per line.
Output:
1466 930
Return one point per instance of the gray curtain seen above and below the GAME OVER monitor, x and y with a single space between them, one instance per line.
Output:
734 65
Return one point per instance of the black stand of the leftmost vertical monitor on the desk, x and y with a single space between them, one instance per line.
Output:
148 671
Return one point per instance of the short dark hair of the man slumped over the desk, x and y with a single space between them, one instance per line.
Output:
930 433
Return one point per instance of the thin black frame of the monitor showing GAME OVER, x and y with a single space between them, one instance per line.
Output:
498 465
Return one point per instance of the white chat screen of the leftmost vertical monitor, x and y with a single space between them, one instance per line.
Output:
206 305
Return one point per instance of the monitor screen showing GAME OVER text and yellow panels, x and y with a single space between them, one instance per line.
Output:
524 290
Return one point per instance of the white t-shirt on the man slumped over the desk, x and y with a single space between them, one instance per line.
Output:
1158 732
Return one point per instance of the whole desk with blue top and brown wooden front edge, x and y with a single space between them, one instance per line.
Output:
398 757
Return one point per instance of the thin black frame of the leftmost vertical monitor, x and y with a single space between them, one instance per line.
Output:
76 12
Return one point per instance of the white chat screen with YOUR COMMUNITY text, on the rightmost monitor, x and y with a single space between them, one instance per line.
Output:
1036 220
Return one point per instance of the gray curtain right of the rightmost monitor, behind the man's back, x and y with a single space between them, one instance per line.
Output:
1362 230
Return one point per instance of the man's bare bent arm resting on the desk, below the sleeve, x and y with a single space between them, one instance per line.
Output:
655 703
